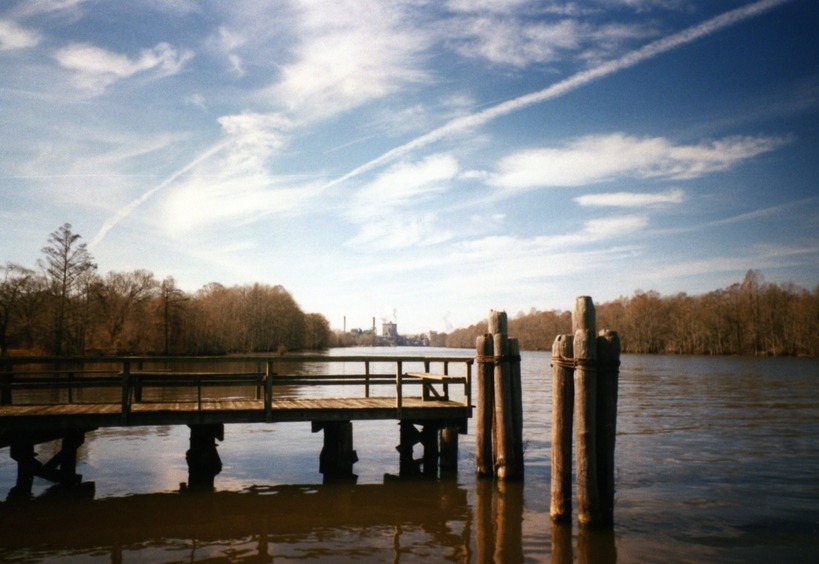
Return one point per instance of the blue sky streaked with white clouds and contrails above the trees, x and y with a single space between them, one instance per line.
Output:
417 161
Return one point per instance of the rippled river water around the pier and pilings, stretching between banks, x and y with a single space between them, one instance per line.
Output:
717 460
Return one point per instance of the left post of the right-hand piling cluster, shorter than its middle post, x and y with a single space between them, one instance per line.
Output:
562 412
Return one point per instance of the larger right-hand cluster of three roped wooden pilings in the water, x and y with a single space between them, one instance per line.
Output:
585 374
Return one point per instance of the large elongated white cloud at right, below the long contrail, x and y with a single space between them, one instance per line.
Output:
601 158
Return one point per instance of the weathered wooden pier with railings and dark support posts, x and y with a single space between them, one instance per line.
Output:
46 399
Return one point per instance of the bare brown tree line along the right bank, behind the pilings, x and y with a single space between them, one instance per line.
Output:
751 317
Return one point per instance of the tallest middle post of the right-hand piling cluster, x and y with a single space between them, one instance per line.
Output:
585 410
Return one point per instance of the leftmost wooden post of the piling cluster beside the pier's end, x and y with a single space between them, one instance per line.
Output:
485 404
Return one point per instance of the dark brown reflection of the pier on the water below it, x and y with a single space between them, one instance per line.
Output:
390 521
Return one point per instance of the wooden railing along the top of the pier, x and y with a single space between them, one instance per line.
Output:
61 380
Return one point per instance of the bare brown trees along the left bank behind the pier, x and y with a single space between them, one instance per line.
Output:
64 306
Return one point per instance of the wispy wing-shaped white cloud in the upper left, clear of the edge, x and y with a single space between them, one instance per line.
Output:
95 68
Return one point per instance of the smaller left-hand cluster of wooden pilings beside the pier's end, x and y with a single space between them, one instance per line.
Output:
499 409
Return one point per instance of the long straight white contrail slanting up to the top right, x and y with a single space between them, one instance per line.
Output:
570 84
